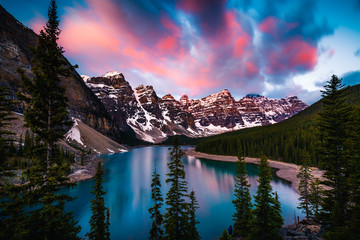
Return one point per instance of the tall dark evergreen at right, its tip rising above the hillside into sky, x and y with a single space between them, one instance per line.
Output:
333 124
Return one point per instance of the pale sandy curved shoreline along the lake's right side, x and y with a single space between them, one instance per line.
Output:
286 171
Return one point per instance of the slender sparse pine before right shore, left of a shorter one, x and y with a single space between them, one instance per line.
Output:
305 181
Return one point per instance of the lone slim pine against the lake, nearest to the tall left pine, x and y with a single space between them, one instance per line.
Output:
99 221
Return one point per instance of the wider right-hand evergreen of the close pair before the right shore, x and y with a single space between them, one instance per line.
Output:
267 219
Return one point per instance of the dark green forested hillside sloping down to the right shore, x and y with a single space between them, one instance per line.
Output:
282 141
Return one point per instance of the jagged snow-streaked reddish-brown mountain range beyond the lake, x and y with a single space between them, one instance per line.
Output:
154 119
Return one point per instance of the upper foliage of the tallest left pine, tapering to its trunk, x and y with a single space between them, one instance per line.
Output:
45 111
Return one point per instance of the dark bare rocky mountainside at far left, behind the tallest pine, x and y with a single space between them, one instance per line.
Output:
16 42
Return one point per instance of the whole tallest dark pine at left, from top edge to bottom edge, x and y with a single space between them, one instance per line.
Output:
45 114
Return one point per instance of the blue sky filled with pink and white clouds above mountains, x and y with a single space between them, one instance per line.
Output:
274 48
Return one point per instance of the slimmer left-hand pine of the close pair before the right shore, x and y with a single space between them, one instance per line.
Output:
243 207
